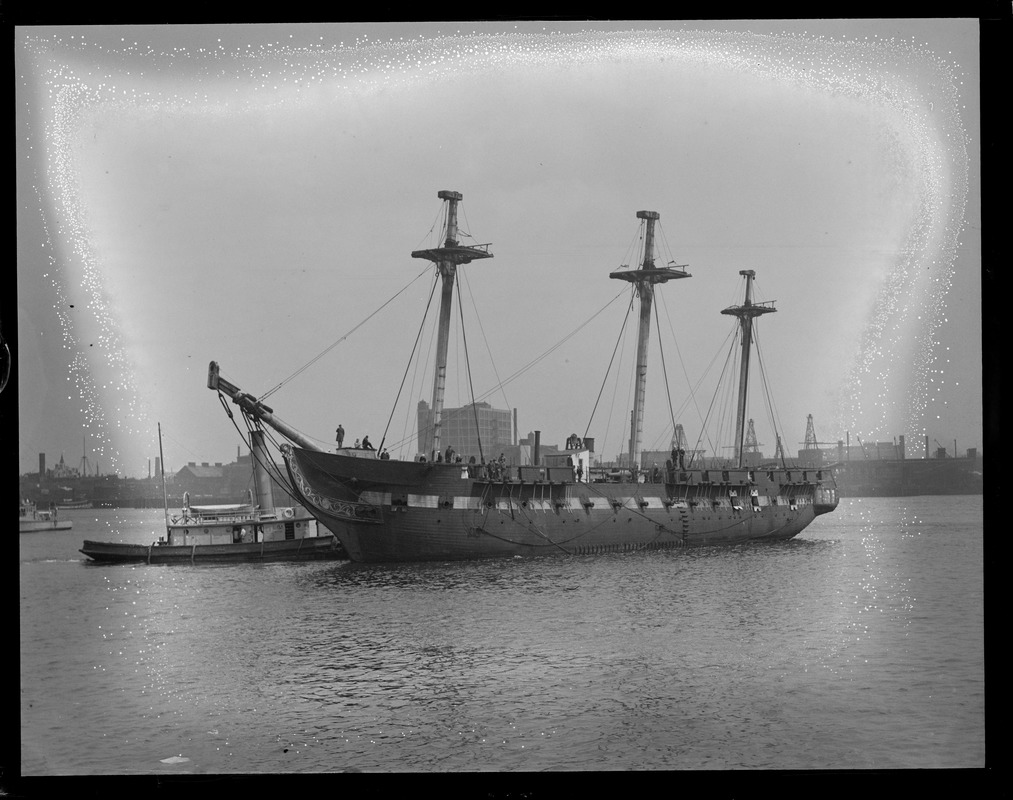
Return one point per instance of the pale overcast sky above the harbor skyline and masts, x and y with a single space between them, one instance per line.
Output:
251 195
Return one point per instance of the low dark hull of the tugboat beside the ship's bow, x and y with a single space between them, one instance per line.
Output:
310 548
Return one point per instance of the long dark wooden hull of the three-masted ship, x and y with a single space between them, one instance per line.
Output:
447 515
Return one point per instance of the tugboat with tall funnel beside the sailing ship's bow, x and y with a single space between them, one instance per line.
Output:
231 533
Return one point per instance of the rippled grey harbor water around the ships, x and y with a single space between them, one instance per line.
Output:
858 646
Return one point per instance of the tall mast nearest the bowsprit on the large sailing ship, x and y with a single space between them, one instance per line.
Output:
447 260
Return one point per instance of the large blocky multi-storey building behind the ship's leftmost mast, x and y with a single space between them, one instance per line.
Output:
463 429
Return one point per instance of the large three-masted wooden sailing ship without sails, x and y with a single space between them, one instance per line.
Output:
392 511
